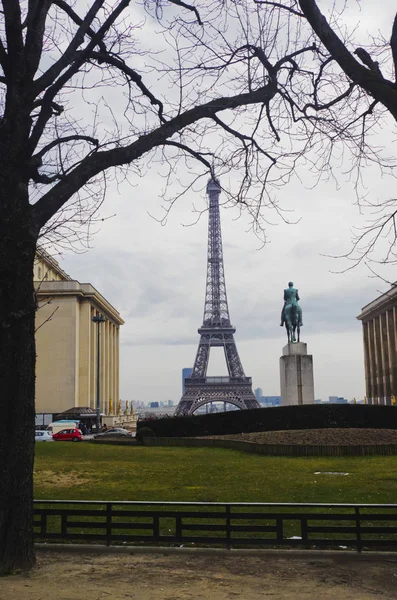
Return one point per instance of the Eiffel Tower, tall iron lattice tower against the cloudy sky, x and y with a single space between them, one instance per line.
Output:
216 330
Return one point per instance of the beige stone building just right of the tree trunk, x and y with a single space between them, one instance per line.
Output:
66 342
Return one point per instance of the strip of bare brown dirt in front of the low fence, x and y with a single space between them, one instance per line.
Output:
72 576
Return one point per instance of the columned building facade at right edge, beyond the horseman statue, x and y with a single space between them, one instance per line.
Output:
379 321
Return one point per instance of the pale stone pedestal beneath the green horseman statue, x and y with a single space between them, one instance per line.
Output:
296 375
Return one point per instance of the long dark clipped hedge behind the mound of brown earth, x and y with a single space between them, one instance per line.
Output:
309 416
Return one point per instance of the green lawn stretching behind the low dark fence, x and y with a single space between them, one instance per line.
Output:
67 471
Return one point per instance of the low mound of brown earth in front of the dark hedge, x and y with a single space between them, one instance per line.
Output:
317 437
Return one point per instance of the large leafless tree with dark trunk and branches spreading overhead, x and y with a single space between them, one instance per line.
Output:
93 92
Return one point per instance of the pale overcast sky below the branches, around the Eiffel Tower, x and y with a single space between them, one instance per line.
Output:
154 275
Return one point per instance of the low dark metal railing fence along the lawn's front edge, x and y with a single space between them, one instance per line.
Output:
247 525
